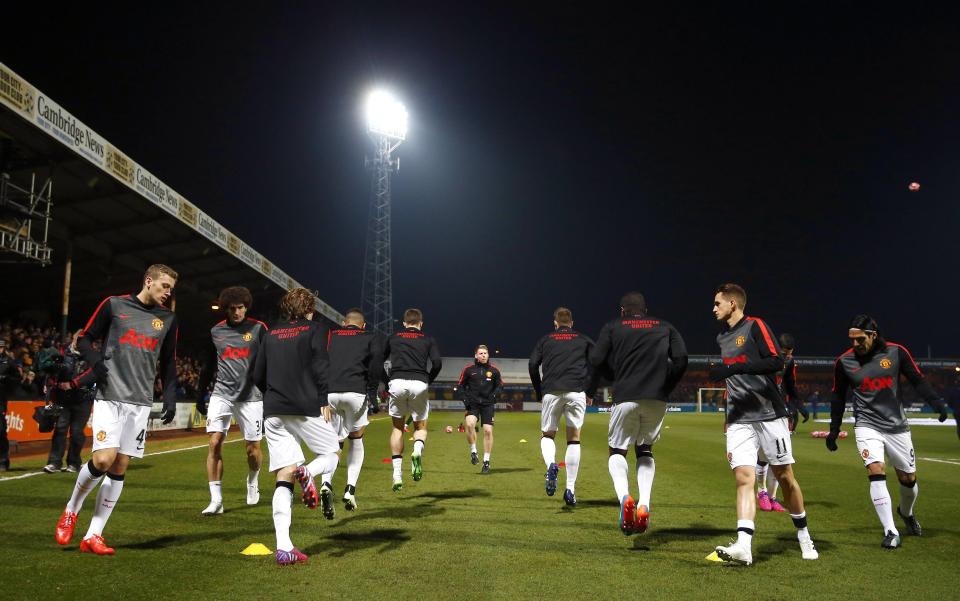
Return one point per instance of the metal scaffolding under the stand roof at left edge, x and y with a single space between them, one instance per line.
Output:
25 213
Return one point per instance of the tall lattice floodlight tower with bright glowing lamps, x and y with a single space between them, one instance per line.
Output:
387 126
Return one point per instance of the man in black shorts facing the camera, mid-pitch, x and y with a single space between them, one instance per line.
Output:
480 383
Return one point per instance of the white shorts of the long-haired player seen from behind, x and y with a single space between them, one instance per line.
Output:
285 433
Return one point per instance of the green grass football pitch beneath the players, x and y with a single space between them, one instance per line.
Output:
461 535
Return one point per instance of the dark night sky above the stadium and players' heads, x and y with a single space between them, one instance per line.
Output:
555 156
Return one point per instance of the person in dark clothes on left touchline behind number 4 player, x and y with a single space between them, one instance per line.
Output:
69 387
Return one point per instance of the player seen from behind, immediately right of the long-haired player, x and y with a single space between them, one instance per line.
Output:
356 368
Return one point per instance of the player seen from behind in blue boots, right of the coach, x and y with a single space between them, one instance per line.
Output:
565 357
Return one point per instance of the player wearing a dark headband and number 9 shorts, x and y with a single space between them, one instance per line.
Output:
872 370
